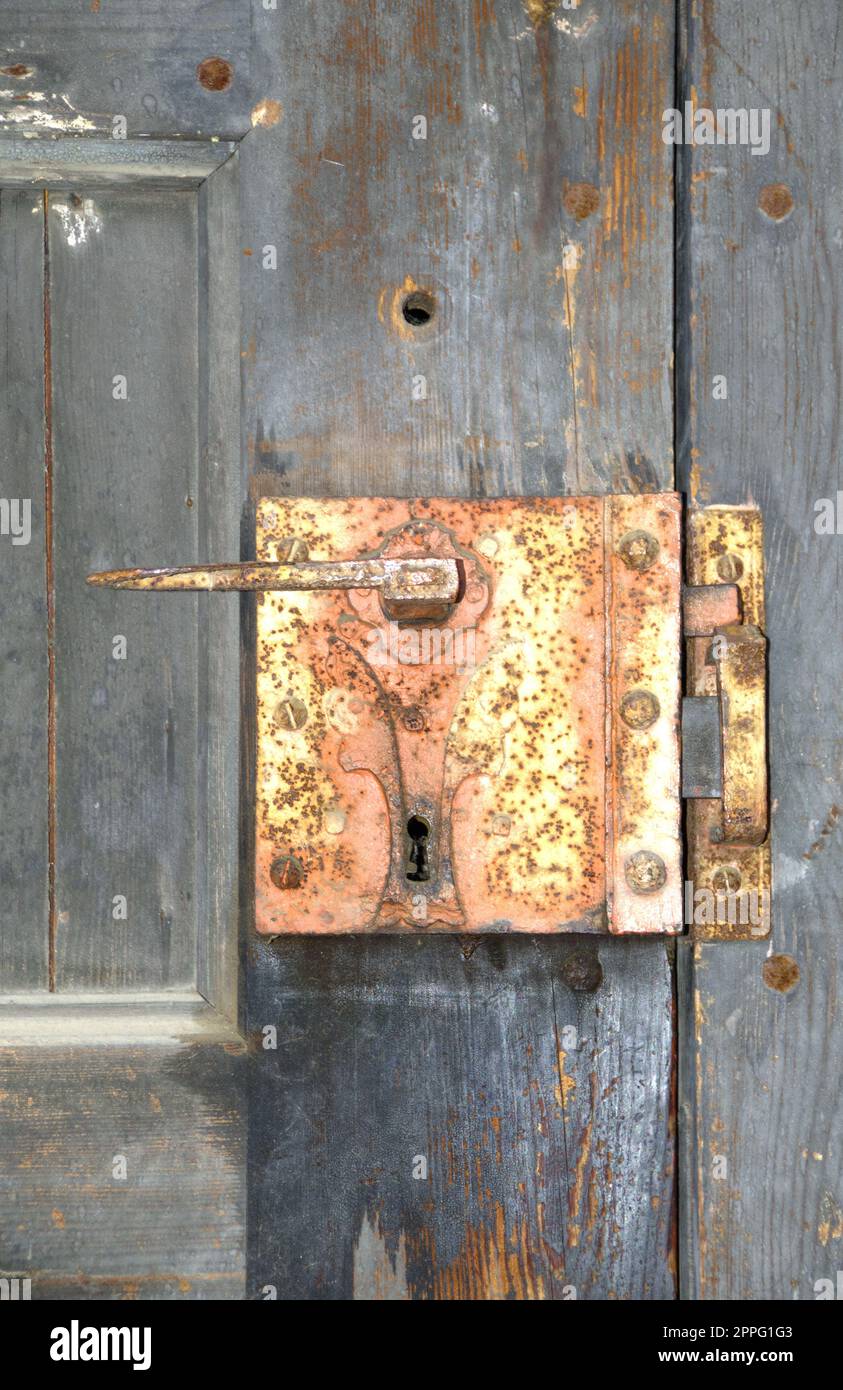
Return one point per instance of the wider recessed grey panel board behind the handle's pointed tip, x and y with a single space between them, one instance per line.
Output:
125 311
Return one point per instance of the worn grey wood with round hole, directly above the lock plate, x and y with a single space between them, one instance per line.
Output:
538 211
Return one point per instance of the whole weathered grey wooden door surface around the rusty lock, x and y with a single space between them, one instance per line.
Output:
211 216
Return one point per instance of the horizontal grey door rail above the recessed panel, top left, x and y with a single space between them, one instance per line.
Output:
69 69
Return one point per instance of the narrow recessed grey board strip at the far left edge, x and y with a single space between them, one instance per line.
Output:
24 933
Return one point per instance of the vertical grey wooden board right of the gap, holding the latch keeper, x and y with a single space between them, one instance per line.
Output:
762 294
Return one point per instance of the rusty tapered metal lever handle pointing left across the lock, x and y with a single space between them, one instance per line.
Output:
404 583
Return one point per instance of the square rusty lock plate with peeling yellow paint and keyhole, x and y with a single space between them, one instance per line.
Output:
508 762
